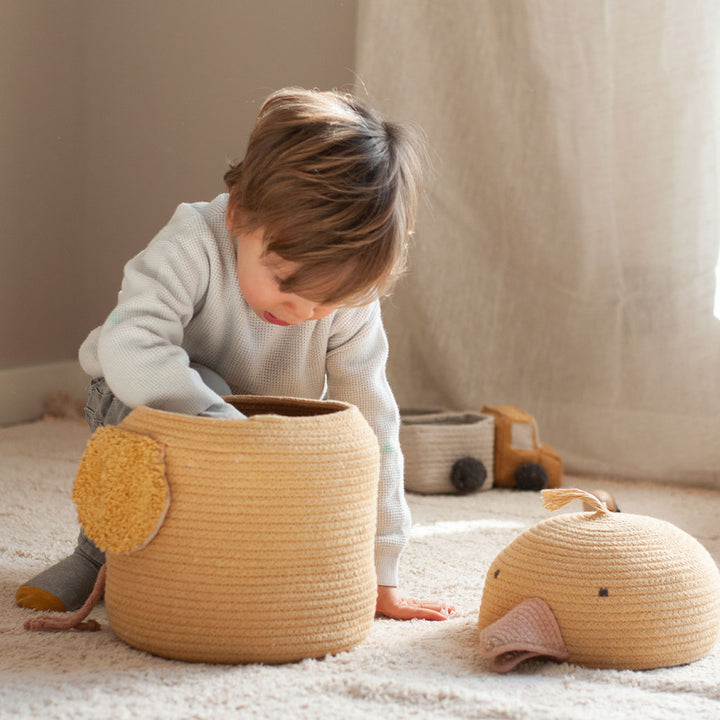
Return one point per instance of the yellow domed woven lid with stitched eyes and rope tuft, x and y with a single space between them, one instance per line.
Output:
627 591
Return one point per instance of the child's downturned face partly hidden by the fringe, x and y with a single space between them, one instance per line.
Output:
260 276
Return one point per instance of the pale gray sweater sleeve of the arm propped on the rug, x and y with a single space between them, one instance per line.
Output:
356 374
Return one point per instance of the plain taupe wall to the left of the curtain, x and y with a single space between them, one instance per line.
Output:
113 112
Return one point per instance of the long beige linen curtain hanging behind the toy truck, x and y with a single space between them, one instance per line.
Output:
565 259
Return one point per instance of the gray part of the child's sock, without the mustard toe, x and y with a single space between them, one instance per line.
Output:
72 579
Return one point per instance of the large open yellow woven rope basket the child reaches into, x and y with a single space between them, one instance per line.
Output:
265 553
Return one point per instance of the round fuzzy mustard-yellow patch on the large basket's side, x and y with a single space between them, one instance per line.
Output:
120 490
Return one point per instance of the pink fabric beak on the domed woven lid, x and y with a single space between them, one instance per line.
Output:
529 630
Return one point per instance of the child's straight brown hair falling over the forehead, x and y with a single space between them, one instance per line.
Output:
335 189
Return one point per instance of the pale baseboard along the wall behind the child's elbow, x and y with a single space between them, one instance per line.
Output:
24 390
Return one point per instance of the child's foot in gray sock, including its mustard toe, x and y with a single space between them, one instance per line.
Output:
64 587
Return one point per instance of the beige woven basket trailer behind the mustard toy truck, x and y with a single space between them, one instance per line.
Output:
432 441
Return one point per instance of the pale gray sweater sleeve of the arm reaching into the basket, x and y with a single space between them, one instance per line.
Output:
139 347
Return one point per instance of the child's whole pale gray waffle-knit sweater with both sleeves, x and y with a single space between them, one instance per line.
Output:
180 302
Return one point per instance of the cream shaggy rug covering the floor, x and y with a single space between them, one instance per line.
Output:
403 670
